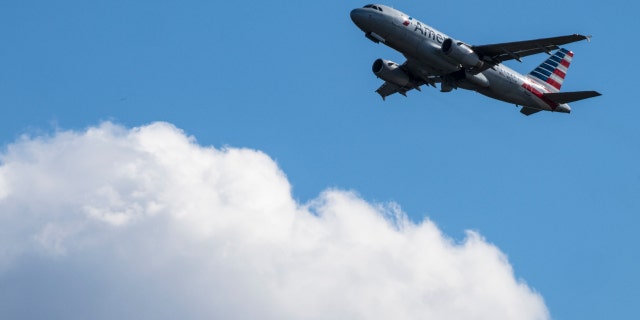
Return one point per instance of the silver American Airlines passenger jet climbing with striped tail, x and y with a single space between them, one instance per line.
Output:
434 57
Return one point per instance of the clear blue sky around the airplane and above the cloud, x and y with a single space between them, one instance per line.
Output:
558 194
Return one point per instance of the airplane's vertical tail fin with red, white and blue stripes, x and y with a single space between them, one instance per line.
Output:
552 72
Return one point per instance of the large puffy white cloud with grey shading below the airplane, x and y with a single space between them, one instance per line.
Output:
145 223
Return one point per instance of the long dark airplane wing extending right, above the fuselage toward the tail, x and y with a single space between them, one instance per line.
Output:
496 53
